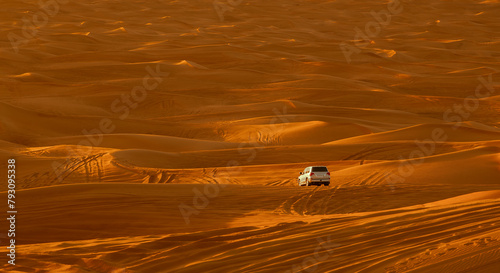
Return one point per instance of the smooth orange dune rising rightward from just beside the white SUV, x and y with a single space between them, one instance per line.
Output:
479 165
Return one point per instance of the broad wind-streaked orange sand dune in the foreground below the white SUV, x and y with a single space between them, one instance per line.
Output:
463 233
